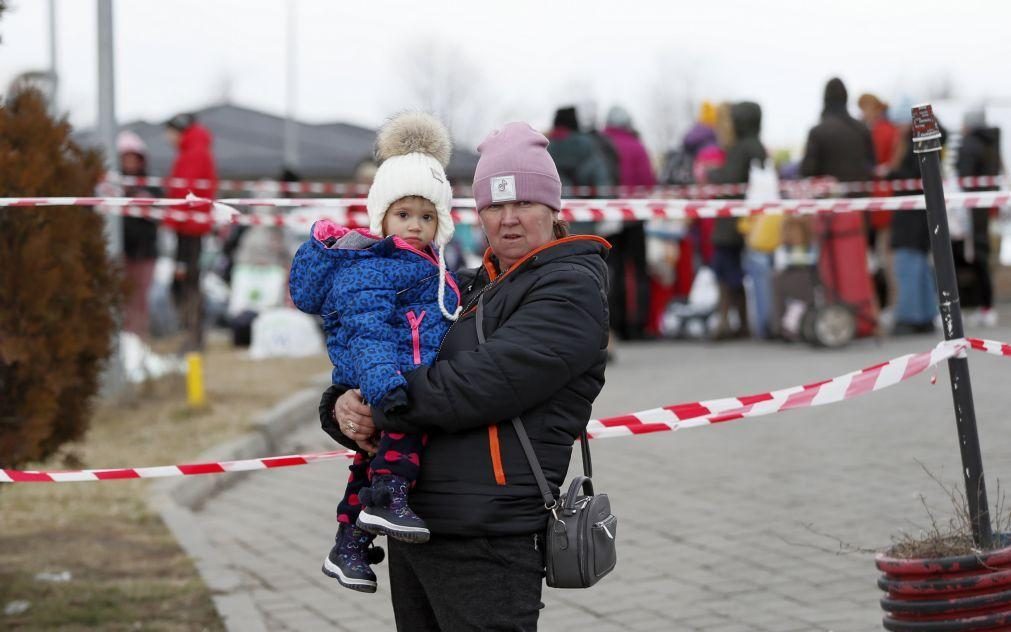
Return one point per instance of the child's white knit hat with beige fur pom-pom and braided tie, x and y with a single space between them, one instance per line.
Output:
413 150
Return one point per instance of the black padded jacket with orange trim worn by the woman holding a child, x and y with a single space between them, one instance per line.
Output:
546 323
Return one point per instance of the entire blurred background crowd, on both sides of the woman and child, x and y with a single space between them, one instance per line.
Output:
740 278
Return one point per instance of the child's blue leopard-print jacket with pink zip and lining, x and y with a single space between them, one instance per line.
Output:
379 300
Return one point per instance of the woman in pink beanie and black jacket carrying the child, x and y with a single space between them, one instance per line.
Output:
546 323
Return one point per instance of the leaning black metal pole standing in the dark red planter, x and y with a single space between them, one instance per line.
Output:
928 146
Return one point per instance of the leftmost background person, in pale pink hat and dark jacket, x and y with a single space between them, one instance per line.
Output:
140 236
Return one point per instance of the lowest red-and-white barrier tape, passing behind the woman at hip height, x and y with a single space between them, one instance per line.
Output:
678 417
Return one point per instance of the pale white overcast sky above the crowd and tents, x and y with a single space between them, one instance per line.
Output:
528 57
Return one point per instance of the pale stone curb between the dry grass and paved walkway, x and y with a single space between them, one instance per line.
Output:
176 500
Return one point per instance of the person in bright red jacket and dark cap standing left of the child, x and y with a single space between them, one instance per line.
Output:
195 173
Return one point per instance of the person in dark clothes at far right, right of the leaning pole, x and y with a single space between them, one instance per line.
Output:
980 155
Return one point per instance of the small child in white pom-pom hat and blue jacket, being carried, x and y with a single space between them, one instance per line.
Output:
383 296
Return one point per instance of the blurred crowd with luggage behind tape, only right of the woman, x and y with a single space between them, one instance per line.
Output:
877 264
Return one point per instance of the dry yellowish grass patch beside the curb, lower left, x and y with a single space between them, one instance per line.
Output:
127 571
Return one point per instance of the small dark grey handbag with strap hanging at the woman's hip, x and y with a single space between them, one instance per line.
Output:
580 543
